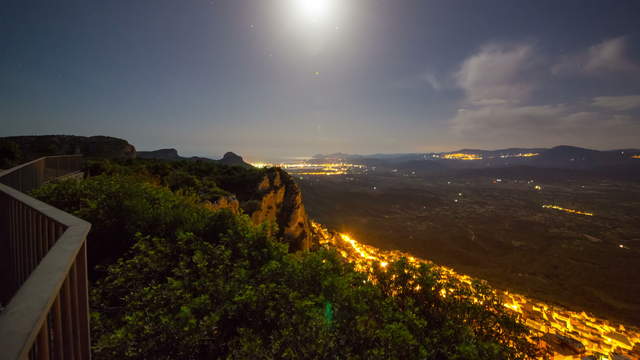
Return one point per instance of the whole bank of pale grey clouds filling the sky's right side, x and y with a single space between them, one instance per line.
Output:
501 84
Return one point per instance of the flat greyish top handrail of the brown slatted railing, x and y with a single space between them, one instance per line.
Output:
27 311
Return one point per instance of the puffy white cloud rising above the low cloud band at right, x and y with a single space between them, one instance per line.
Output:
499 74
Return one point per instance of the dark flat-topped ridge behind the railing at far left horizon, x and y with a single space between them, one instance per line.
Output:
33 147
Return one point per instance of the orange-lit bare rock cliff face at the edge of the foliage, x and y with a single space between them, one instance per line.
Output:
280 201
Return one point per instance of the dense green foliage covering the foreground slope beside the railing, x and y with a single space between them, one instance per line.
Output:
196 284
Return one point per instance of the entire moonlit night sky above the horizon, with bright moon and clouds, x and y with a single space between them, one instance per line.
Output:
266 78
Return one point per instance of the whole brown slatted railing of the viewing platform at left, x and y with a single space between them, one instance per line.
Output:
43 268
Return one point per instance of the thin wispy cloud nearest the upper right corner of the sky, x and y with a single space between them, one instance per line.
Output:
609 56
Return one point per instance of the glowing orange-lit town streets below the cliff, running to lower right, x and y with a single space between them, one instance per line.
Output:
562 333
